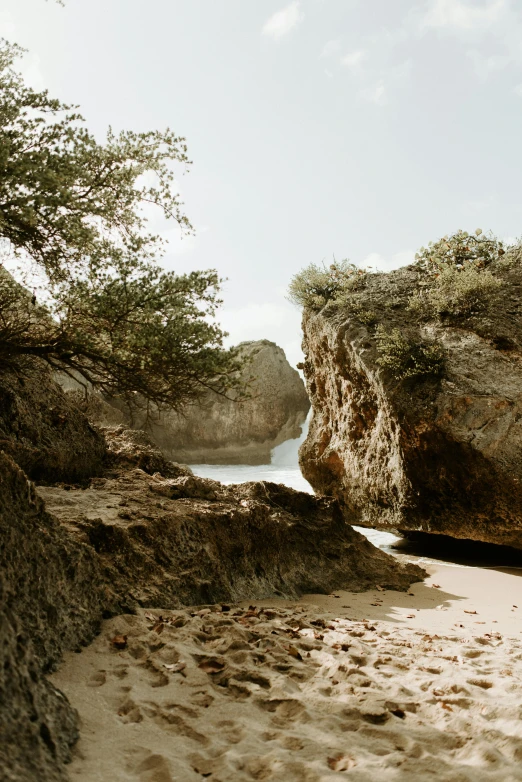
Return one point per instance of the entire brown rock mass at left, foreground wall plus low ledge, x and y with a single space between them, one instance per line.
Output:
133 537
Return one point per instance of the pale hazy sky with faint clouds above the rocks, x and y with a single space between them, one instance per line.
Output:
318 129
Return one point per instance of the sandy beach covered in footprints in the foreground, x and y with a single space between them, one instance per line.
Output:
374 686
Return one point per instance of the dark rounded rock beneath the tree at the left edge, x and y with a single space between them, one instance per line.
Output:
43 430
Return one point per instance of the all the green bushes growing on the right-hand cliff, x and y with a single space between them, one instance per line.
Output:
455 279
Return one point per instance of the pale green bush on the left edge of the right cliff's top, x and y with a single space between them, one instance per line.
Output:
316 286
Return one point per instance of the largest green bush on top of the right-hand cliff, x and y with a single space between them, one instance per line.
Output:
458 283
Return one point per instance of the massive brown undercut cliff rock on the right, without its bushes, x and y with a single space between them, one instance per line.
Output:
431 454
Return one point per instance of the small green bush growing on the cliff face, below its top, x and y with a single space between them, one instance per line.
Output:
404 358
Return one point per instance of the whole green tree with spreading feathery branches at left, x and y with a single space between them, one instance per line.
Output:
74 208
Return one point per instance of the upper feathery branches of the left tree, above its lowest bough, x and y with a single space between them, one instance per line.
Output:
65 199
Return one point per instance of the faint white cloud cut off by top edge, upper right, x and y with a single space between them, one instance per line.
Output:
462 15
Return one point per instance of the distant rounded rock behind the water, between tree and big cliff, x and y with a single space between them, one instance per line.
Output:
220 431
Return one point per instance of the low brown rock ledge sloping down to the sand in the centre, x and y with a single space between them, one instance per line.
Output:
188 540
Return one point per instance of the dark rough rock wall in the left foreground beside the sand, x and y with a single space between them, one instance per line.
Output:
51 599
